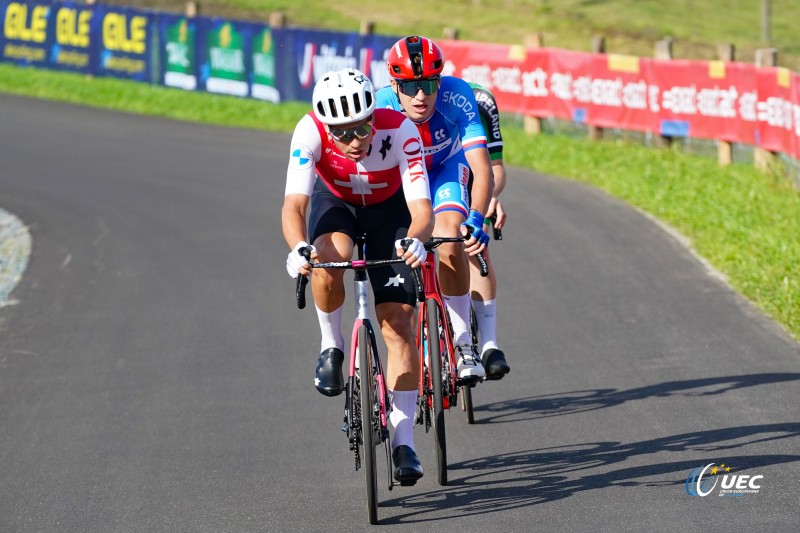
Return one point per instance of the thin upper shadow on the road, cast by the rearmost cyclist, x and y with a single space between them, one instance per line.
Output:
535 407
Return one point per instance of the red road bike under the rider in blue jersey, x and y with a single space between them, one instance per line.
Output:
439 381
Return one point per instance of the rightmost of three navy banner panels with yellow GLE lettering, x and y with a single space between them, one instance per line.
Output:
125 45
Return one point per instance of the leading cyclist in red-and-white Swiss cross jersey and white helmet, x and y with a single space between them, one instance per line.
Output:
372 179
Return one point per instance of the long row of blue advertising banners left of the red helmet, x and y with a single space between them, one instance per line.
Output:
210 54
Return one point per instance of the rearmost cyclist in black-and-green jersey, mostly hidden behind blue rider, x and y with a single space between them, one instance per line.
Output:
483 291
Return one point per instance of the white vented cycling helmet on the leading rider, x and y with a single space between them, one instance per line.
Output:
343 96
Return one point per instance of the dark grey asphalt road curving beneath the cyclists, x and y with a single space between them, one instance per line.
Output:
155 374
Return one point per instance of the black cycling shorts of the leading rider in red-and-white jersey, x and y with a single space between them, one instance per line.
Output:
383 224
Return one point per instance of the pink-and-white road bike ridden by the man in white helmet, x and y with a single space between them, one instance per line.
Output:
366 394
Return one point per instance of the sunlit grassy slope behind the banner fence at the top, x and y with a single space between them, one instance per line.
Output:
629 26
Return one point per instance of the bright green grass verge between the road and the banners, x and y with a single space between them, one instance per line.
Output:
744 223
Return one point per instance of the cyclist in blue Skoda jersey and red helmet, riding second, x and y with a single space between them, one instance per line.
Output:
446 114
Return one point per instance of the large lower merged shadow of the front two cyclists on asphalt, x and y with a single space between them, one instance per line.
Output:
523 479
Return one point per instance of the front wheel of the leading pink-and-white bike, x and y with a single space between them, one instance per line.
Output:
366 395
